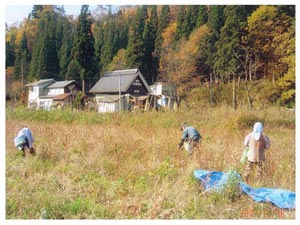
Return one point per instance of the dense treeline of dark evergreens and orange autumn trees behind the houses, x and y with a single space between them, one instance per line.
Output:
203 49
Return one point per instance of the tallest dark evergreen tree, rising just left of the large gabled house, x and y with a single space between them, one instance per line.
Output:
82 63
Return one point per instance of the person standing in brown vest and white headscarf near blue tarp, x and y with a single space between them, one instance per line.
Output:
257 143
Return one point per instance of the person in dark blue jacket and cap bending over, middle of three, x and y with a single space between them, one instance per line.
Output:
191 136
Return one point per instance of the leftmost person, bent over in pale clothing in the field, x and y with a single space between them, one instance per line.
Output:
25 140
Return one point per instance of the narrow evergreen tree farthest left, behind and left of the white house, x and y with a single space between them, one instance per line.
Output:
21 68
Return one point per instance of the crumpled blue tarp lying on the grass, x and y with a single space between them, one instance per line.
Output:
215 181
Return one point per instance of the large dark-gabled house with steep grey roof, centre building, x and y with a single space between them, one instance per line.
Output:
118 90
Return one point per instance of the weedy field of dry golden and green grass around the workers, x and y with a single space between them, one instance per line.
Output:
127 166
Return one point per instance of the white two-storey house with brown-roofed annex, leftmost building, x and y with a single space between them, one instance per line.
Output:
48 93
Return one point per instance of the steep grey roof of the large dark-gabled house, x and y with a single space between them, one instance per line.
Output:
109 83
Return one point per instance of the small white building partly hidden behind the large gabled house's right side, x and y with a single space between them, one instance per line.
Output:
164 95
